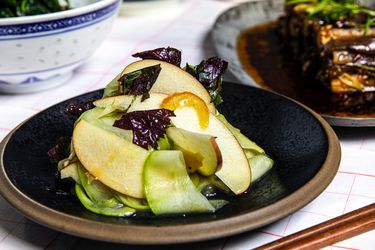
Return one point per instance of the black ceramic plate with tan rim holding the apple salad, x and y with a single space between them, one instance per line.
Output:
305 149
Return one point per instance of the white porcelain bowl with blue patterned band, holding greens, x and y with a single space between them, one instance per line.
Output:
40 52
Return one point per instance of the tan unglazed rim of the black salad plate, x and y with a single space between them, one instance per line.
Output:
135 234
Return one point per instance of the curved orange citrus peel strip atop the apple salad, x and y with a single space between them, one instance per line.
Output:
187 99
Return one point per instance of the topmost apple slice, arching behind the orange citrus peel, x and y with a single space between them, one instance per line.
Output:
173 79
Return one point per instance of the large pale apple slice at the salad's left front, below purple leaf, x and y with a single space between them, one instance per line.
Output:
116 162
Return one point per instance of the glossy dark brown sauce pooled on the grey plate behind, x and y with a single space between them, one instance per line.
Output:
262 54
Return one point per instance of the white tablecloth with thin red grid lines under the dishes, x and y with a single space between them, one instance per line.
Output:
185 26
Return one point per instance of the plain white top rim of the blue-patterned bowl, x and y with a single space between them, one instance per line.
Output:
57 15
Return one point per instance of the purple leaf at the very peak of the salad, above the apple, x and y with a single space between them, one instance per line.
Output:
170 55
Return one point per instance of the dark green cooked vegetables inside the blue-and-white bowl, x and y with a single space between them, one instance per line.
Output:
17 8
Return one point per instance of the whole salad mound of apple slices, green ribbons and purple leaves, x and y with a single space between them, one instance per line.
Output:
155 142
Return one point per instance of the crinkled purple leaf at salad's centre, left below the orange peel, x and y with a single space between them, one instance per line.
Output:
147 126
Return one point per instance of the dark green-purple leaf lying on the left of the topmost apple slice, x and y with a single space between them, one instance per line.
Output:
139 82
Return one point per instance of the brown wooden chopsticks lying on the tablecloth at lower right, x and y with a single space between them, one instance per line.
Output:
328 232
